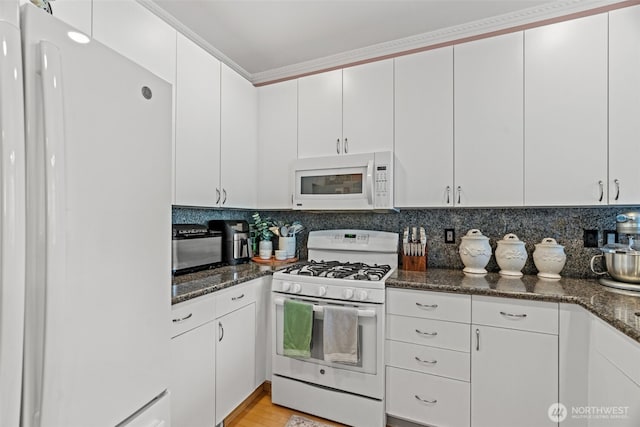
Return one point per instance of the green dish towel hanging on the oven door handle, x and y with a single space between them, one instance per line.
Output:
298 321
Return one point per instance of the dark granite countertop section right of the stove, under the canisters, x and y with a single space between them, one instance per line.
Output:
620 309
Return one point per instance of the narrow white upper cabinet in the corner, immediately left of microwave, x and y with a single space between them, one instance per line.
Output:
277 143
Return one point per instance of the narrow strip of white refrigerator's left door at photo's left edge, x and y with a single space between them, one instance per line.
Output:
12 221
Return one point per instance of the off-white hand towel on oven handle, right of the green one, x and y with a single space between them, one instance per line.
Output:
340 334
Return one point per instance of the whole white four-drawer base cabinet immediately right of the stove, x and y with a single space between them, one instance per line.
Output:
427 373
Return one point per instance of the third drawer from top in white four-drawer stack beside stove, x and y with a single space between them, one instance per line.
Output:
430 360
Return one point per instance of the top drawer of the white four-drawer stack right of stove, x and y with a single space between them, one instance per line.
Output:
430 305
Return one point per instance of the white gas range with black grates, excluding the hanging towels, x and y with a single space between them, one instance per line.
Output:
347 268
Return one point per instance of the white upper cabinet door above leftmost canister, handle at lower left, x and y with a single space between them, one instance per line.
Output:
488 78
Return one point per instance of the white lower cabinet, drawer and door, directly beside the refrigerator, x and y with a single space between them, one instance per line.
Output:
193 354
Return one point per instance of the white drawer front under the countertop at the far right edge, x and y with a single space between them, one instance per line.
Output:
619 349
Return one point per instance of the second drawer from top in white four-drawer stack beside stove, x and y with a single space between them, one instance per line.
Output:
436 333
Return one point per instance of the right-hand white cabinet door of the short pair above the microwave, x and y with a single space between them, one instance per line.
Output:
367 102
